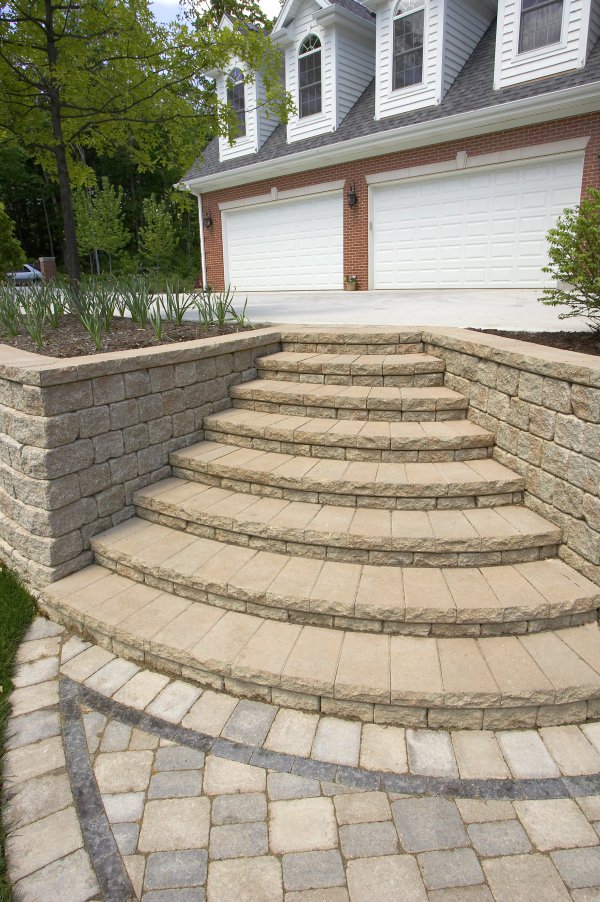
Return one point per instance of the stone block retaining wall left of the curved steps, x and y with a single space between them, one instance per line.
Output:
79 436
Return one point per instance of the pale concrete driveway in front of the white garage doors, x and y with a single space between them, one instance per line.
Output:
481 309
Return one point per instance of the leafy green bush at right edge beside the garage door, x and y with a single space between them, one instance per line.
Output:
574 254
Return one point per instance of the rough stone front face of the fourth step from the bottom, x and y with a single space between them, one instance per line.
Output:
377 496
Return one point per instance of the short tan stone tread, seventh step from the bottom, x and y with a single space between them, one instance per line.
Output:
351 364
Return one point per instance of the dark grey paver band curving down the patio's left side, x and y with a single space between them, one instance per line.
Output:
98 837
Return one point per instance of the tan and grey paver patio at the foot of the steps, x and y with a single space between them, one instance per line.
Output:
196 819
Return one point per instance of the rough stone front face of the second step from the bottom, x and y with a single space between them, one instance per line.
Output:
269 606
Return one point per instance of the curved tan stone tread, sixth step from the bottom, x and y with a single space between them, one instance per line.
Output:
354 397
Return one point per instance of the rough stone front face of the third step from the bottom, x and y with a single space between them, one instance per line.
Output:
353 549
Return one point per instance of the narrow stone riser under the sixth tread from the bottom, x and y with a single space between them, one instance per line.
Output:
349 413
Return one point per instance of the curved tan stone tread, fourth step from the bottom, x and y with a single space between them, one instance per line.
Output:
452 478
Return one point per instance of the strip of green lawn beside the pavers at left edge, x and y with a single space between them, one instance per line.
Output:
17 609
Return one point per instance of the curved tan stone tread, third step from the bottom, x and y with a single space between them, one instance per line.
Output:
471 530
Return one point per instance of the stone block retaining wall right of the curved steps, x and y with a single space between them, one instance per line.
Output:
543 406
